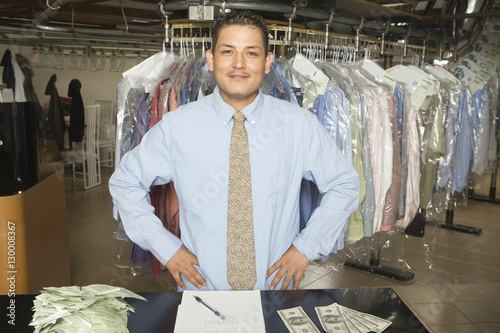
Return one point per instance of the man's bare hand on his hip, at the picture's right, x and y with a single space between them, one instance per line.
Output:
293 262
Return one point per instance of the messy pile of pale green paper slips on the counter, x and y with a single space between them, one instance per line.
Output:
94 308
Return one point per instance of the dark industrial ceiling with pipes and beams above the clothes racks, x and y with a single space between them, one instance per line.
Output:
129 24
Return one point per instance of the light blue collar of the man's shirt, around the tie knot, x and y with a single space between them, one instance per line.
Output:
225 112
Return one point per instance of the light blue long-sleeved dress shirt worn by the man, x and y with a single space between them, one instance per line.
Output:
190 146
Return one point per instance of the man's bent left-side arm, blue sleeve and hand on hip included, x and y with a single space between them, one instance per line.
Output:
147 165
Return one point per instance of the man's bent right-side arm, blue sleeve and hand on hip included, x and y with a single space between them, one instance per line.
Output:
338 181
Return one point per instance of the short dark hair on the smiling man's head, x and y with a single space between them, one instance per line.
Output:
240 17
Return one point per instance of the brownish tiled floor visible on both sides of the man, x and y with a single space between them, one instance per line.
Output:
457 275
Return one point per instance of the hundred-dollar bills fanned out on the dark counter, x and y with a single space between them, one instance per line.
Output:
333 318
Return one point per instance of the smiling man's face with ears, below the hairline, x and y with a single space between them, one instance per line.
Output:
239 62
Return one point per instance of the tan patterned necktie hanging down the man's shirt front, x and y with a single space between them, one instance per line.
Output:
241 273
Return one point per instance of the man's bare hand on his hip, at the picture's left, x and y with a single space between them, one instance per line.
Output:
182 262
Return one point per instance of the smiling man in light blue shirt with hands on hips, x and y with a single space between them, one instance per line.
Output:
191 146
